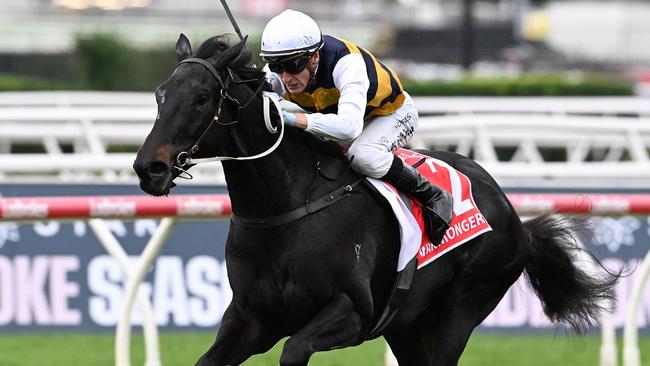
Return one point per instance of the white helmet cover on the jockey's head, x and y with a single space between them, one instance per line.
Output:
289 33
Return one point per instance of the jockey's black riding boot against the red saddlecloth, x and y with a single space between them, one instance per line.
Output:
436 202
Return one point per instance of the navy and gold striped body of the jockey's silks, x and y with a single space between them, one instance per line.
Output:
385 94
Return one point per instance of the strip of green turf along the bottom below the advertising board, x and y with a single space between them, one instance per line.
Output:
184 348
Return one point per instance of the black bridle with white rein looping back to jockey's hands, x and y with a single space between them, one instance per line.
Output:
184 158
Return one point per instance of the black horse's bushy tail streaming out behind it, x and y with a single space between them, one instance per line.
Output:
568 293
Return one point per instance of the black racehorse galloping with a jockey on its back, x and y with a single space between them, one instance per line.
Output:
322 273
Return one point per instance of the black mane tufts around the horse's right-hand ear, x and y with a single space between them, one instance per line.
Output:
216 45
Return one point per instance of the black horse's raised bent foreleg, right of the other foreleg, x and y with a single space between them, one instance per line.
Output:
338 324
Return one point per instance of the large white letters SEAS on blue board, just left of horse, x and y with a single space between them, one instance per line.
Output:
183 294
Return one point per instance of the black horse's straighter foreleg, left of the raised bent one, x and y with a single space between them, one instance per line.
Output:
241 335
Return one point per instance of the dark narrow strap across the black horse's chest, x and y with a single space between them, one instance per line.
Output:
308 208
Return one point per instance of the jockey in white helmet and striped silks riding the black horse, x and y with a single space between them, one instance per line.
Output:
353 99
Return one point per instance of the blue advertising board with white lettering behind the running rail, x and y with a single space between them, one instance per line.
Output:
57 276
